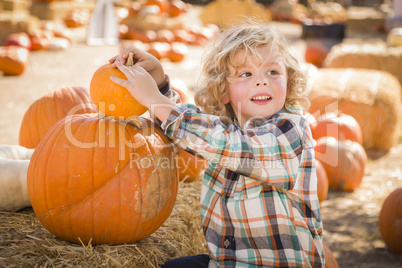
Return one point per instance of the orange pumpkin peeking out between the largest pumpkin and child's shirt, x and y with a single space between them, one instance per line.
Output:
190 166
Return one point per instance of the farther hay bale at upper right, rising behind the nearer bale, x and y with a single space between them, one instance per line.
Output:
377 56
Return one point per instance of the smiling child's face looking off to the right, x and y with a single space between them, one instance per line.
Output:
258 88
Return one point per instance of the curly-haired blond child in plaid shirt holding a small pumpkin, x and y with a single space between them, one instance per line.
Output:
259 205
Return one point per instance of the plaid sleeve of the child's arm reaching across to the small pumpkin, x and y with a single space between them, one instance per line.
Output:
270 153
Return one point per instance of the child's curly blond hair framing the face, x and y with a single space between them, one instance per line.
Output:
246 37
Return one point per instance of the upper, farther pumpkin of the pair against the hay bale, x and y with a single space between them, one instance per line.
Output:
338 125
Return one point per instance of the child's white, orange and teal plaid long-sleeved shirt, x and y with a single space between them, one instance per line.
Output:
259 205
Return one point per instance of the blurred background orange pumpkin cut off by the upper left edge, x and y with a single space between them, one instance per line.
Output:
13 60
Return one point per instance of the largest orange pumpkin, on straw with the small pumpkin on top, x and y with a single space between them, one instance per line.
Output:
102 180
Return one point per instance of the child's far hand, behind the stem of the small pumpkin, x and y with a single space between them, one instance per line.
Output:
143 59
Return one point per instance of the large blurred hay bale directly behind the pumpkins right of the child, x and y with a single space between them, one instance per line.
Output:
372 97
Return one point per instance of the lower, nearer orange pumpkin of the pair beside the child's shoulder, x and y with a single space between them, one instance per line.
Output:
344 162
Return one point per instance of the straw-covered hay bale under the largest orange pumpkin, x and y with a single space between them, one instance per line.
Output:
24 242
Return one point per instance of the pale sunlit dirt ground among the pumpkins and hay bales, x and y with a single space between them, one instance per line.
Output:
350 219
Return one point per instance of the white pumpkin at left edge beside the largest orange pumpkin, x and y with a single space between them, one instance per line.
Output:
14 162
